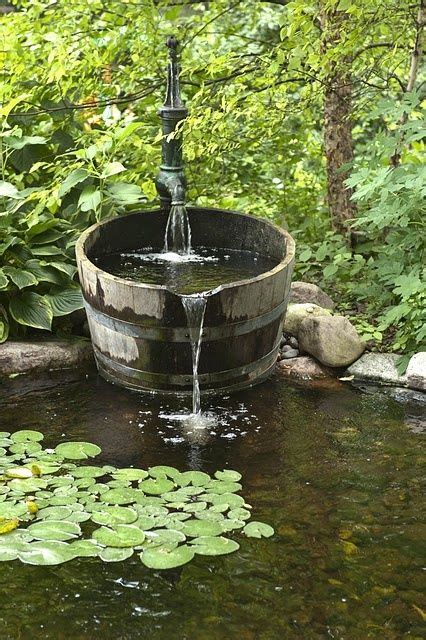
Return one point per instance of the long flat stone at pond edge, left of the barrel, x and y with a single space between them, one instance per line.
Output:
28 357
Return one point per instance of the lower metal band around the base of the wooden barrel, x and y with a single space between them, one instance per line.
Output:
164 380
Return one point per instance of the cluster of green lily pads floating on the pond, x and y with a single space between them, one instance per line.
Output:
53 508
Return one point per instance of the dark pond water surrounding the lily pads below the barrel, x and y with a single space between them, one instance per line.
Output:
335 470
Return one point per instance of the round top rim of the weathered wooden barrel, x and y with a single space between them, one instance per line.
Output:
82 257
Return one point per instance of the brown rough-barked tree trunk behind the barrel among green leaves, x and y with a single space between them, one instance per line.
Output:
338 141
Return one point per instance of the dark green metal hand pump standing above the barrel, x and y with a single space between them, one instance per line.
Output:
171 182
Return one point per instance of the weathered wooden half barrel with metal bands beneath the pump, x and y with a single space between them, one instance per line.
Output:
139 331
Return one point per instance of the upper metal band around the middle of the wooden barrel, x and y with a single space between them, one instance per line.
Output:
181 334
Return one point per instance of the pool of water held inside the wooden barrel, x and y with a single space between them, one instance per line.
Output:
186 274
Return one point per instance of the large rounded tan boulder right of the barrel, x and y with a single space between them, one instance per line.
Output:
332 340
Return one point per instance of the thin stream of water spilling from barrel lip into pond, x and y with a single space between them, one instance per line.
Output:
195 307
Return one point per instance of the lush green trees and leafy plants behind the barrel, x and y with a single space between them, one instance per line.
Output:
308 112
